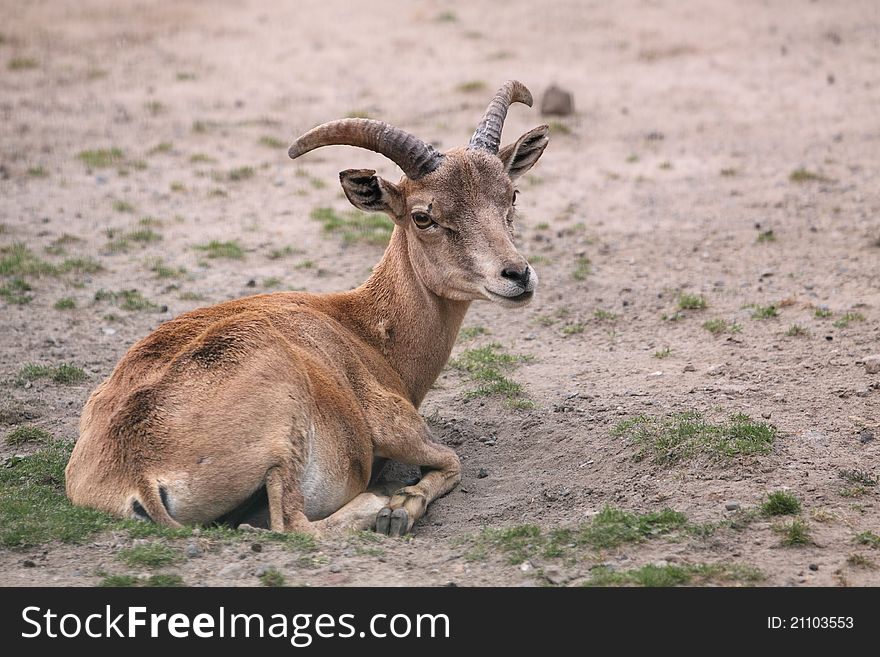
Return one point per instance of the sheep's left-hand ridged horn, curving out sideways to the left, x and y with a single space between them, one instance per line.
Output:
410 153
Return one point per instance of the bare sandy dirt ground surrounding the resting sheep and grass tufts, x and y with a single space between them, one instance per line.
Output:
691 118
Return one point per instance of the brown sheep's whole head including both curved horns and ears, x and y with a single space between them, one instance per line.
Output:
457 207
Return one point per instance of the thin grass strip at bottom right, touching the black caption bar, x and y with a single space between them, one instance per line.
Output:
675 575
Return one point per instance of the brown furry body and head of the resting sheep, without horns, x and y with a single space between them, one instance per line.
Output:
302 393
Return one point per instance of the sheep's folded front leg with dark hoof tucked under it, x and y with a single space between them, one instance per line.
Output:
411 443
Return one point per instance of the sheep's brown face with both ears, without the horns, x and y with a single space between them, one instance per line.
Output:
459 220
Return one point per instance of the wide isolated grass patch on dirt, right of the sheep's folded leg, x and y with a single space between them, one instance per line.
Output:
683 436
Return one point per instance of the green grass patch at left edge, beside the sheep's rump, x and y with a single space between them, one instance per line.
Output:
33 507
